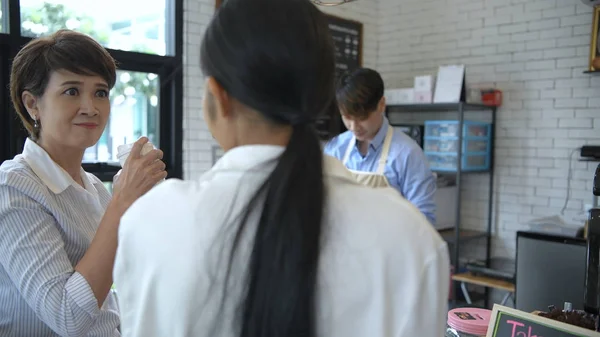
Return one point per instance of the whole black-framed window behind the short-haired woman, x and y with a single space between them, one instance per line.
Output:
146 39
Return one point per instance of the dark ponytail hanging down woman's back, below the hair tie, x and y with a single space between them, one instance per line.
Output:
280 301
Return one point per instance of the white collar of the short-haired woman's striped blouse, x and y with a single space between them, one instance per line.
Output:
51 174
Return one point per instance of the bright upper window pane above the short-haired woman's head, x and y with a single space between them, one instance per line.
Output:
137 25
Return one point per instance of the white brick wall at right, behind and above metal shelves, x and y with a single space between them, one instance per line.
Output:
533 50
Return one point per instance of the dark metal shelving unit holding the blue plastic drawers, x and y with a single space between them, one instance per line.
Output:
455 237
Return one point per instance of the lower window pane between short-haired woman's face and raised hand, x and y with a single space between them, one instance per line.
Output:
134 113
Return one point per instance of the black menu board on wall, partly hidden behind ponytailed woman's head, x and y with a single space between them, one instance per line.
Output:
348 40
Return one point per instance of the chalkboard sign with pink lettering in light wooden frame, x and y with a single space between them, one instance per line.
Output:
508 322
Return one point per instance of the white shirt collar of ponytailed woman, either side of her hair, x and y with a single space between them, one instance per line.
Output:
248 157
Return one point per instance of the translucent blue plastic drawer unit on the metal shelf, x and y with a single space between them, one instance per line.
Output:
441 145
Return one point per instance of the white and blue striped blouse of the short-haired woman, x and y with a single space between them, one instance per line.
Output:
47 222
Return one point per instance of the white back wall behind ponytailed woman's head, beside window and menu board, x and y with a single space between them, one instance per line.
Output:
197 141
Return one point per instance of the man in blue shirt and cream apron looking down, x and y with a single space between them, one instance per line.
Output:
375 154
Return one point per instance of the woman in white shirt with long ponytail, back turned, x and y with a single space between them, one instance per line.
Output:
276 240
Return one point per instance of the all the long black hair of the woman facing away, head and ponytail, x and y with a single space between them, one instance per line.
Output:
277 57
